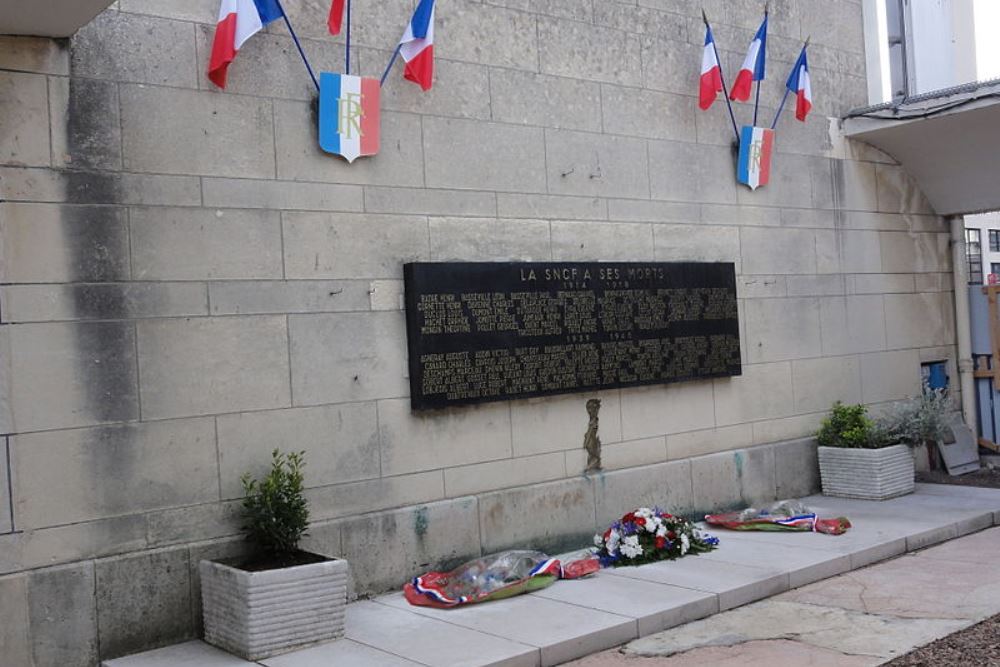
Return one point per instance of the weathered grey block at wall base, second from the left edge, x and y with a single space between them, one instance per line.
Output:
63 616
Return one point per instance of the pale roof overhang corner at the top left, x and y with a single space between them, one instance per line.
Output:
47 18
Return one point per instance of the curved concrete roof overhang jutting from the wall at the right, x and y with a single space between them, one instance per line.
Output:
947 140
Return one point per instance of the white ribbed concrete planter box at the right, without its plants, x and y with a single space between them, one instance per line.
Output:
868 474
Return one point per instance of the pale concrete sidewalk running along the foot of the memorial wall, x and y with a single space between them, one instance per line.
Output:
572 619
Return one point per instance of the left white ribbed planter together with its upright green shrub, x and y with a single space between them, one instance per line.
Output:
281 598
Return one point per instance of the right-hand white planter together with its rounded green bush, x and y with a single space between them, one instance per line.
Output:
862 458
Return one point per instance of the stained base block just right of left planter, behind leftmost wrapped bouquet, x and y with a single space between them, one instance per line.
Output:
388 548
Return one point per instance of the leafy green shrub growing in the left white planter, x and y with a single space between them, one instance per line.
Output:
275 510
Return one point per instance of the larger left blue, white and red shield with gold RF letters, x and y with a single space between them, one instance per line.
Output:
348 115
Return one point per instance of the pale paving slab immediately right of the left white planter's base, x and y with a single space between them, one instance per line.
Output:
430 641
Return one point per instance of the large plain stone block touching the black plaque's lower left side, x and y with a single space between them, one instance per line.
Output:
347 357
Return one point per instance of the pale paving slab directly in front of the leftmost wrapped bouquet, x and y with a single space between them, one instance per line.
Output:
561 631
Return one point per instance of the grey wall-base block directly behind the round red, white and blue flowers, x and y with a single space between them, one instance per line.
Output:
663 485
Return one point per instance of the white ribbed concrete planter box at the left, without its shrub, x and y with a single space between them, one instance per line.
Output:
259 614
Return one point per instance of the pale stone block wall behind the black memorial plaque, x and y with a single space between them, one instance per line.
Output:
187 281
